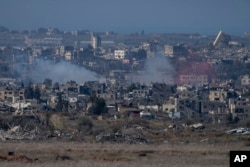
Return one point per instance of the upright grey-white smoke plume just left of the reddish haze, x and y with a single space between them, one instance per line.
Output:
156 69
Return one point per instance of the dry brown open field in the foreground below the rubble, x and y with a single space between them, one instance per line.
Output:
63 153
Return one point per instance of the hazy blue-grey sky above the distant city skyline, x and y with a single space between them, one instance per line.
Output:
125 16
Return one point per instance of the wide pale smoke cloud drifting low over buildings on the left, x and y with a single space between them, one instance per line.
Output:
60 72
